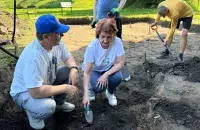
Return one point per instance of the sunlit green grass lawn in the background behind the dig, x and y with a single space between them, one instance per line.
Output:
83 8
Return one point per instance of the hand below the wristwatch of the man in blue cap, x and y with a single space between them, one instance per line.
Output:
73 77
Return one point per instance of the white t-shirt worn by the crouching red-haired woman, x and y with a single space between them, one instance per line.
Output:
103 59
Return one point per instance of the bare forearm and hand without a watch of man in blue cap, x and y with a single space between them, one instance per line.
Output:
50 90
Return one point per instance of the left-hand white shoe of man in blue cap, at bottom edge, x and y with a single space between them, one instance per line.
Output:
35 123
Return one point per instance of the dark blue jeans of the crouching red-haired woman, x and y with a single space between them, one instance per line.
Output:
114 81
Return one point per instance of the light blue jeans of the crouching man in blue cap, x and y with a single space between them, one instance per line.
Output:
44 107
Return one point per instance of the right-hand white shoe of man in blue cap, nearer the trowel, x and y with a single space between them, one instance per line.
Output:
66 107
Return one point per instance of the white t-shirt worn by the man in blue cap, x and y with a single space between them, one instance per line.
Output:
35 66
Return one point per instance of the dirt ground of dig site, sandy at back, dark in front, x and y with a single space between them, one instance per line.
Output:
159 96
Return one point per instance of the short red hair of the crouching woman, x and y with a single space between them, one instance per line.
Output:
107 25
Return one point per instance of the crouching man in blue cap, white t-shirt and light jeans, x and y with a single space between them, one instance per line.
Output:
38 86
